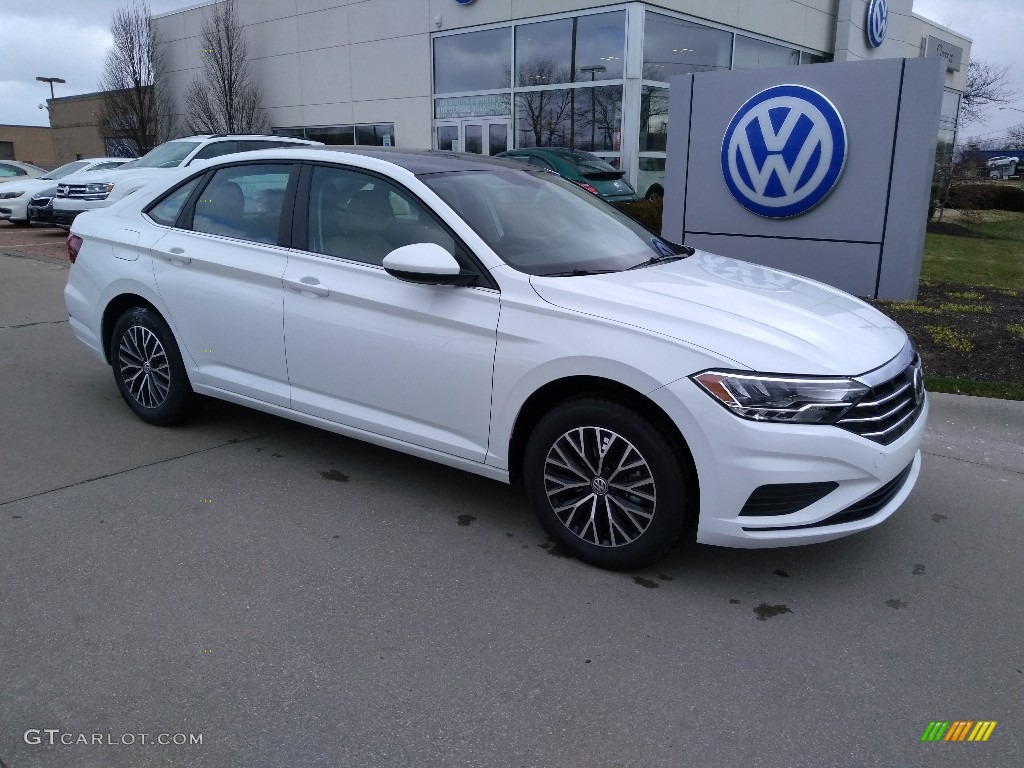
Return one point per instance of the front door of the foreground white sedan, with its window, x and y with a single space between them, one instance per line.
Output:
408 362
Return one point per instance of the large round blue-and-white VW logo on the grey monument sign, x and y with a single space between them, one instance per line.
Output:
784 151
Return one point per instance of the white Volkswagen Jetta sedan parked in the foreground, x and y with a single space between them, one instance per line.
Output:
500 320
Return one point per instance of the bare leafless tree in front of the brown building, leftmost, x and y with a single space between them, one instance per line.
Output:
133 121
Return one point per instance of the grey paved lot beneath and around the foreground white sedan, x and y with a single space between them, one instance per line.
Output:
293 598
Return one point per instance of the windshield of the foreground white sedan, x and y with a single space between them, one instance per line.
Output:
542 225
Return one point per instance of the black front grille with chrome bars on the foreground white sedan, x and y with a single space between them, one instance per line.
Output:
888 410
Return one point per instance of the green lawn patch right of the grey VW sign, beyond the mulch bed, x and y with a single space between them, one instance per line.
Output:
997 261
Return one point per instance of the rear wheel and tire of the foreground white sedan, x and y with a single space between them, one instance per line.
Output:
149 370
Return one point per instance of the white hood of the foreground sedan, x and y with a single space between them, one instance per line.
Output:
749 316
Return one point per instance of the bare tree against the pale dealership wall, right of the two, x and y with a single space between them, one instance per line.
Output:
224 99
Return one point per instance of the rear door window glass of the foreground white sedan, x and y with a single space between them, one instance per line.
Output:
244 202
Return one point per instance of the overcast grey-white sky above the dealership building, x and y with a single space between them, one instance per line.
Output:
68 39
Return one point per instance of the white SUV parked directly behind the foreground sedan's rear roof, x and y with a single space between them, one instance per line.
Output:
76 197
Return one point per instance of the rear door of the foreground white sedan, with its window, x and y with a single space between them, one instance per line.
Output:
220 273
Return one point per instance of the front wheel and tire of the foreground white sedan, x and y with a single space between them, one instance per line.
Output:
620 529
